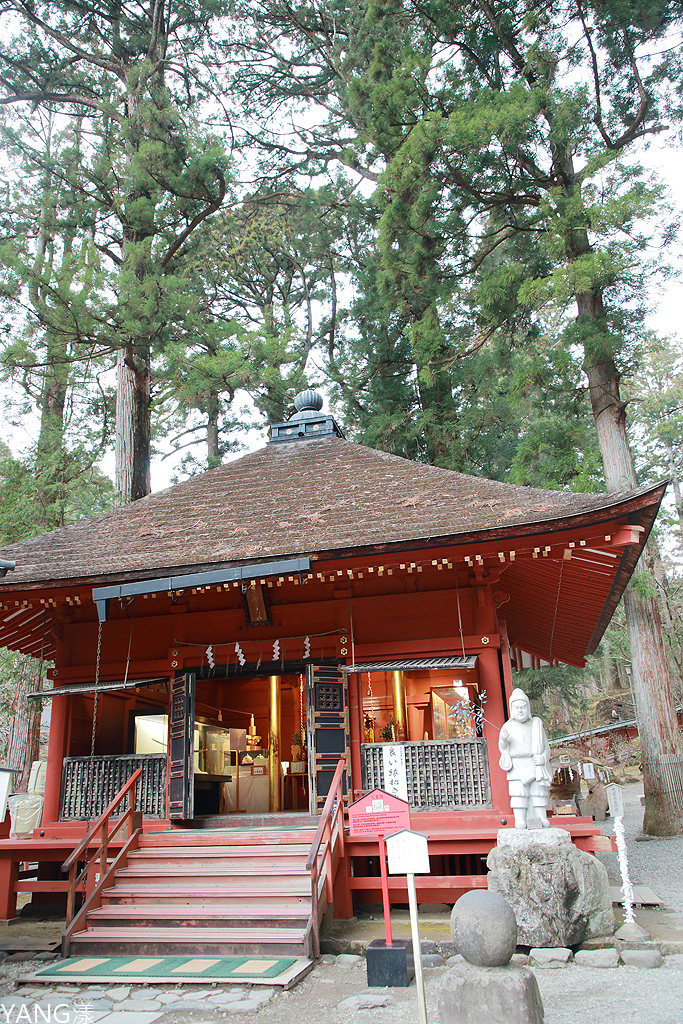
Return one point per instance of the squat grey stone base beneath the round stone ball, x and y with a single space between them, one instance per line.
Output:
471 995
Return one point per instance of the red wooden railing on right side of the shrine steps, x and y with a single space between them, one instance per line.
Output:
331 832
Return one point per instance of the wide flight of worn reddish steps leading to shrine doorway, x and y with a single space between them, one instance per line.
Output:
227 892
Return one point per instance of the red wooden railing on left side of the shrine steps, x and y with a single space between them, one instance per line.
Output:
76 922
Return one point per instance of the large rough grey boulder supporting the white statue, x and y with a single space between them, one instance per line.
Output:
560 894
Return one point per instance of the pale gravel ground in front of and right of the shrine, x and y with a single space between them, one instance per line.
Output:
572 996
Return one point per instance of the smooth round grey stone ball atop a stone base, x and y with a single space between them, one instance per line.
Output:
484 928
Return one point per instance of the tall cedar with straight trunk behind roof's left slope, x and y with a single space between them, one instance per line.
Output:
134 74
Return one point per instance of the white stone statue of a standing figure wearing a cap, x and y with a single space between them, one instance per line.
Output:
526 757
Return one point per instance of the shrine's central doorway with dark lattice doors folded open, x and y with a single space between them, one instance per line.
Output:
257 745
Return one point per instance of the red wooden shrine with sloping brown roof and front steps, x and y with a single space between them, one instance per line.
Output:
315 614
